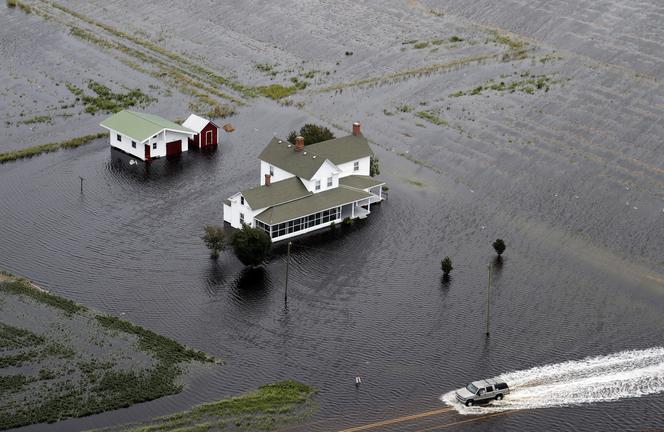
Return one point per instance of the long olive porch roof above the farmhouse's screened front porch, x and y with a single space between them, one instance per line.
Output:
311 204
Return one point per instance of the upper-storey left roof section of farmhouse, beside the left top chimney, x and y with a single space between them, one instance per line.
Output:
282 154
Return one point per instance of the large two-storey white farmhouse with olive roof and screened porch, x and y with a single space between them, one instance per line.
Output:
308 188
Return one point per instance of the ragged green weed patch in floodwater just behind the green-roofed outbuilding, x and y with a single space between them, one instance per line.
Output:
108 101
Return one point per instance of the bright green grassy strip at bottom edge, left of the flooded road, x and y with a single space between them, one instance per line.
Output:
269 407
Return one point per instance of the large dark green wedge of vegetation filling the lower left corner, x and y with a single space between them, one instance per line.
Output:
60 382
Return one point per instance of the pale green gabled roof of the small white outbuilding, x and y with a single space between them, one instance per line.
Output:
140 126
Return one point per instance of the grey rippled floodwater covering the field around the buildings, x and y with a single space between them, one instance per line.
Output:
481 132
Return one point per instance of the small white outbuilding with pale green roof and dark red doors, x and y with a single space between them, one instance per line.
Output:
146 136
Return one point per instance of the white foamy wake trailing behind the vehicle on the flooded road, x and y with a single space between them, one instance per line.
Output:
626 374
